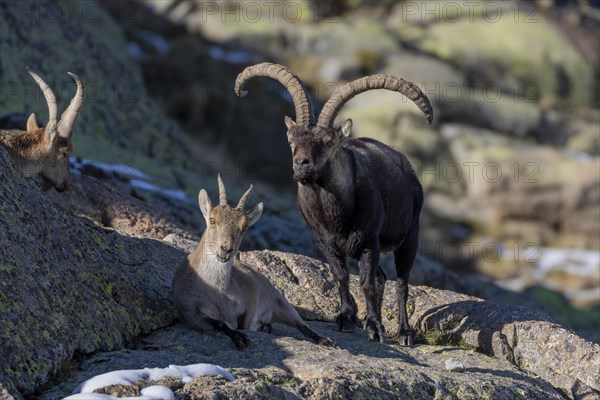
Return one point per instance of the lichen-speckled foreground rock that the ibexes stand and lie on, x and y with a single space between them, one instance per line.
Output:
84 289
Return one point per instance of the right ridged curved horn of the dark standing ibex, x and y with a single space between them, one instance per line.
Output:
351 89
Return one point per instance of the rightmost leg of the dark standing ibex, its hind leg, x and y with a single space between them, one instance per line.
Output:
404 257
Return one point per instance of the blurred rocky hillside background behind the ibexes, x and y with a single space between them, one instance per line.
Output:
510 165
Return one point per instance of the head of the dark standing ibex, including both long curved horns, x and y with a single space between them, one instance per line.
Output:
314 145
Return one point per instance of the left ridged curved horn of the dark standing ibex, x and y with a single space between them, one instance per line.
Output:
304 109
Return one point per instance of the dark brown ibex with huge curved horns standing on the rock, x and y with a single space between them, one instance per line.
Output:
359 196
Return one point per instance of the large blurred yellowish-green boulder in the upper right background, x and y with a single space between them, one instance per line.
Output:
541 65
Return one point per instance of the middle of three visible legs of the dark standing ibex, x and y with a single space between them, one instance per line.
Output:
369 273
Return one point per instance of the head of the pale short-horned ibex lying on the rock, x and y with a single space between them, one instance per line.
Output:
225 225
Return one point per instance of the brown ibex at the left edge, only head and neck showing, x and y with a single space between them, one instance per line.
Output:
46 151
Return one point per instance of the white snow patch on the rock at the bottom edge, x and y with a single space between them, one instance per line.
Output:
126 377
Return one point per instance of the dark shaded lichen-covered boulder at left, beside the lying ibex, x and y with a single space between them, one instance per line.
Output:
70 286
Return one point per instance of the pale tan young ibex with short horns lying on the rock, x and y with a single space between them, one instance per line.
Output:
215 292
